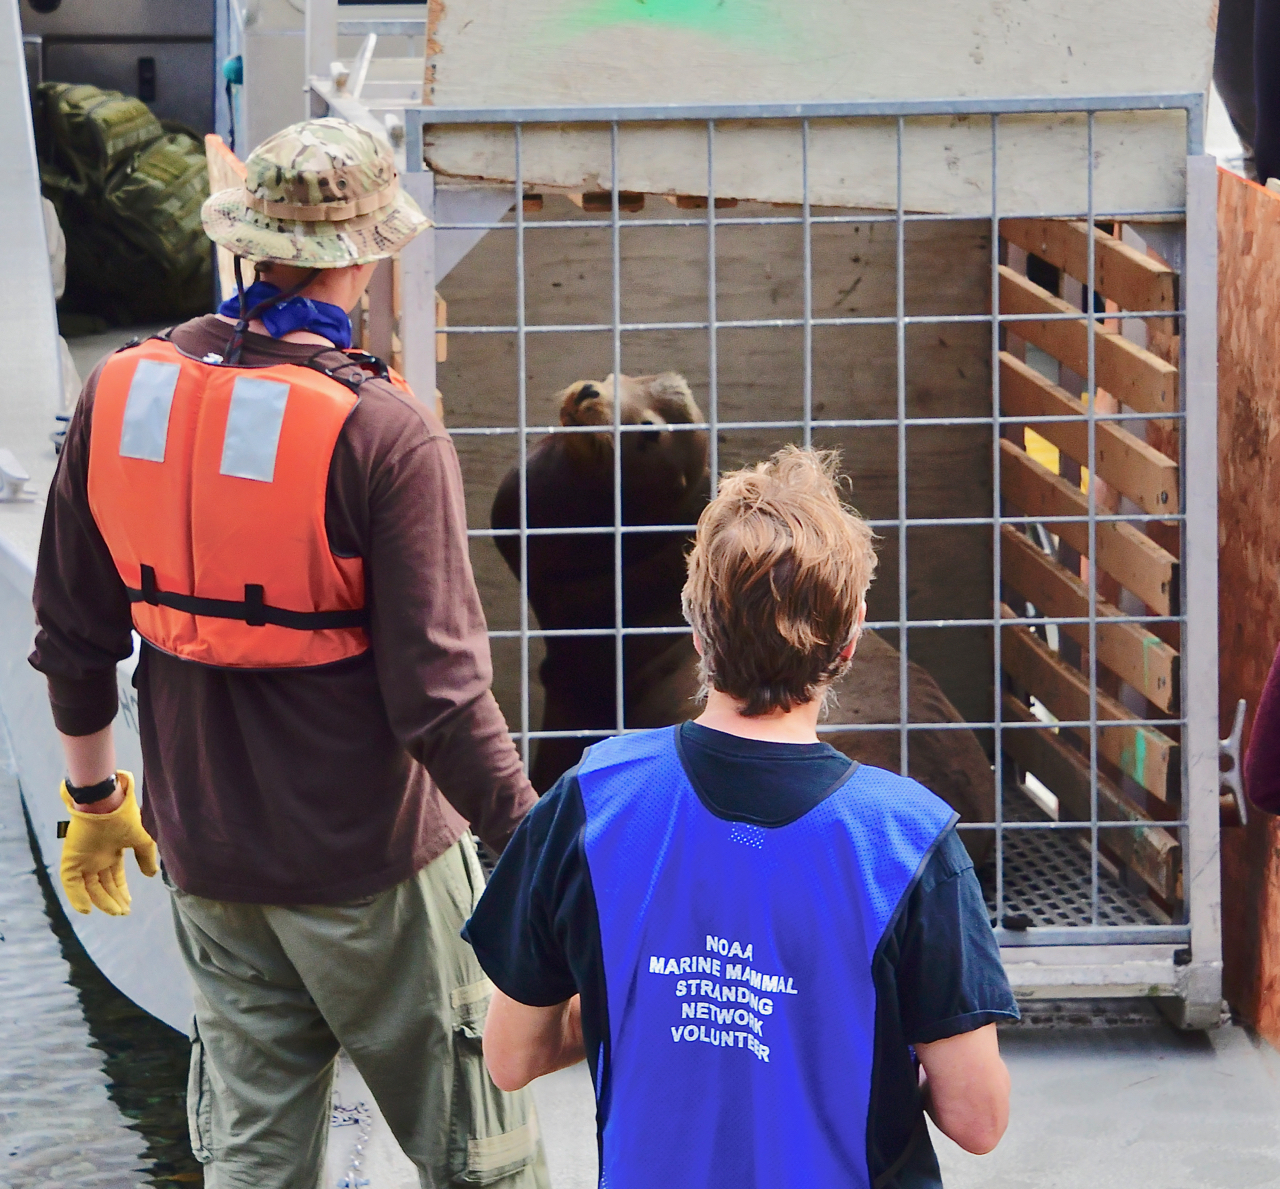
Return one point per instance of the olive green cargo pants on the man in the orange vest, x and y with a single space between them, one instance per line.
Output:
388 978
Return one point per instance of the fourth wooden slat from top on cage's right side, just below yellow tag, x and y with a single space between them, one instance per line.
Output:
1133 560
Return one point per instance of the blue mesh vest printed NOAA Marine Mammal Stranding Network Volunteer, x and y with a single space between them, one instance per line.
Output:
738 966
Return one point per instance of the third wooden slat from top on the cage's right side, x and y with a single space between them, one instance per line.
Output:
1124 461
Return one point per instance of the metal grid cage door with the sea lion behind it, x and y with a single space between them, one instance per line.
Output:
1046 507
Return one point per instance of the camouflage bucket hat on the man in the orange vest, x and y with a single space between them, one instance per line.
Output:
319 195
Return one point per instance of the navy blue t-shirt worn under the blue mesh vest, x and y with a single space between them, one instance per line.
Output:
938 972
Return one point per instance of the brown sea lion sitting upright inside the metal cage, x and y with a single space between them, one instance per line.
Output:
666 482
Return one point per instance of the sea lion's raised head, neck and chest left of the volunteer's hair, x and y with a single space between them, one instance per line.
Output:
665 482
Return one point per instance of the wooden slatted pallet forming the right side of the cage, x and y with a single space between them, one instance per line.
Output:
1136 762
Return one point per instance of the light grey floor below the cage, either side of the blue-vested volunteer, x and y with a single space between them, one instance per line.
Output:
1098 1105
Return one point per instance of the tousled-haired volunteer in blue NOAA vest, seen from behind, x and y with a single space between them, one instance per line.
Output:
775 961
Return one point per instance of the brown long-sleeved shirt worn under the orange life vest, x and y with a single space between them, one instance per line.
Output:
303 786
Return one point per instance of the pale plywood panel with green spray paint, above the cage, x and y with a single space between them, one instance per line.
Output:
644 52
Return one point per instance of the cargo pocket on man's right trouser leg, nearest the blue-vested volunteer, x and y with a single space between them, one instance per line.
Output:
492 1135
